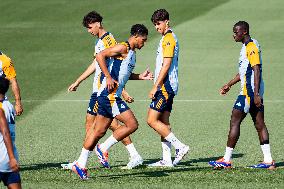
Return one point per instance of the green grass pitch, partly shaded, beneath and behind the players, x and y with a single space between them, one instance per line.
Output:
50 49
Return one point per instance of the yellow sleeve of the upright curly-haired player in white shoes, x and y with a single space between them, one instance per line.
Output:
168 46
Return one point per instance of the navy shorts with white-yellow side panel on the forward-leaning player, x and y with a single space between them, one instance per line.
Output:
111 107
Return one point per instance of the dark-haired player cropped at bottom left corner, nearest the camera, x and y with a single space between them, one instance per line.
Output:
9 167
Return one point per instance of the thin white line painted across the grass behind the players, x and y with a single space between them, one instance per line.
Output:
177 100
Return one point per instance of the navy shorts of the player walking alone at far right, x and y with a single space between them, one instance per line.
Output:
246 104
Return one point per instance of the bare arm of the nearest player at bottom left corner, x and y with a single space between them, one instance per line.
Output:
4 129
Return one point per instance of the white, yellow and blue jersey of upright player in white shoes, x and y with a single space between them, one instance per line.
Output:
168 48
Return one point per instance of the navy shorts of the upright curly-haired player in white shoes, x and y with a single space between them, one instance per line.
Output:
162 102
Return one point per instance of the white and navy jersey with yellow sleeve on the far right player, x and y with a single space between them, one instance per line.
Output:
250 56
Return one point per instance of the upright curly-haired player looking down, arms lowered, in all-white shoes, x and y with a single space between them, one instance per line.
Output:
164 89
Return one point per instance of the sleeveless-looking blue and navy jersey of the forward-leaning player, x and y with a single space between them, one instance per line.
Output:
120 70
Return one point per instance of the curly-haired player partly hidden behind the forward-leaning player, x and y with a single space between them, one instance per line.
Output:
93 22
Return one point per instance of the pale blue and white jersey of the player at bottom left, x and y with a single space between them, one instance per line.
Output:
7 107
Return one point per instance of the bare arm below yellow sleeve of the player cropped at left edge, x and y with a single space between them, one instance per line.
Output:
17 95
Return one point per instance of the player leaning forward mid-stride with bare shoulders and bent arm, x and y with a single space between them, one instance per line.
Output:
115 74
